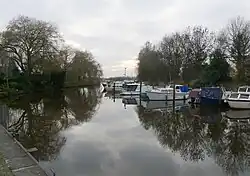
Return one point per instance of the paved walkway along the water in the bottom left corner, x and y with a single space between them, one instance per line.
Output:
15 160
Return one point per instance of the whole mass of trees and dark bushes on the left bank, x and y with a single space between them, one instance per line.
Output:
35 57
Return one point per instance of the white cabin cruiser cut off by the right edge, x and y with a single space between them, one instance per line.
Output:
240 99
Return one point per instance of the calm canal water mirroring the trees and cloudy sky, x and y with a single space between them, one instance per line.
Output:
81 132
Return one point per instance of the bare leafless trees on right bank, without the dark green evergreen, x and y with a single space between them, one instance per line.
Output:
186 54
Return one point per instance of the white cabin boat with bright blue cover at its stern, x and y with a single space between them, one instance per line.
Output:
166 94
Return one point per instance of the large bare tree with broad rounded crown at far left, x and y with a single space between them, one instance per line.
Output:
29 42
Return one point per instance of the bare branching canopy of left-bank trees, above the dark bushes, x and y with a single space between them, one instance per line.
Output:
36 47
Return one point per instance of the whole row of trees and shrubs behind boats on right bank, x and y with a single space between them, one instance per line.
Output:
198 56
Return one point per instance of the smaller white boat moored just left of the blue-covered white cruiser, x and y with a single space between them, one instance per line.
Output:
134 89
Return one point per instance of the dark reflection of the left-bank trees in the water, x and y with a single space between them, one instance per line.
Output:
39 119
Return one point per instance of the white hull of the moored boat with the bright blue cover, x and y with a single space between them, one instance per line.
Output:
159 96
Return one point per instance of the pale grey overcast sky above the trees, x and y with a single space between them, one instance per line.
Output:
115 30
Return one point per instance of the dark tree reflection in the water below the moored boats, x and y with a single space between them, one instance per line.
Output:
199 133
